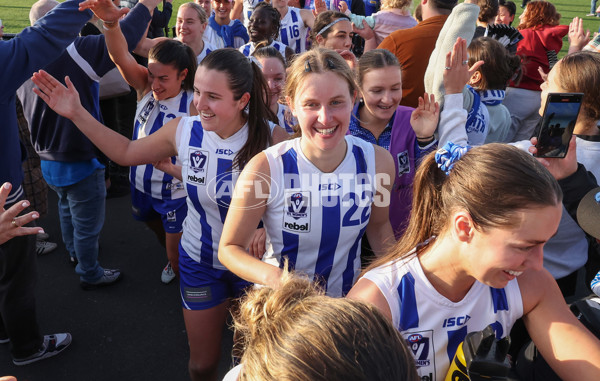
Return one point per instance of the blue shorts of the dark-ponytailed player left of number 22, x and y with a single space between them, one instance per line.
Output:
204 287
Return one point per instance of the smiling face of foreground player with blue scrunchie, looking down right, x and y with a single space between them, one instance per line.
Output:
499 255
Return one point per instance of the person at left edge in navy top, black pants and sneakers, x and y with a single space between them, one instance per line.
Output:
32 50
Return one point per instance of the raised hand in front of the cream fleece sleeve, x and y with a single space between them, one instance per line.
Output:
457 72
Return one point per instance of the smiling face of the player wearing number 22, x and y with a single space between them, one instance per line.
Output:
323 105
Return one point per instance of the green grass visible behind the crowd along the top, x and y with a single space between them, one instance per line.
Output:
16 17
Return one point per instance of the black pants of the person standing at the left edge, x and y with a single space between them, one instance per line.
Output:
18 275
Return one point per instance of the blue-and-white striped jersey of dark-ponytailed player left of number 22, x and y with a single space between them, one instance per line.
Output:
206 171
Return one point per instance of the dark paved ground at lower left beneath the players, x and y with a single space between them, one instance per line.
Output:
130 331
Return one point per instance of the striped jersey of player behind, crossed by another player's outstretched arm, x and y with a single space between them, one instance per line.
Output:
150 116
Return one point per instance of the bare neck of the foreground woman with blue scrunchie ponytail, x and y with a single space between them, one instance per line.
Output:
442 265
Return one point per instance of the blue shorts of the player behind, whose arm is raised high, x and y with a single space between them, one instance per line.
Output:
146 208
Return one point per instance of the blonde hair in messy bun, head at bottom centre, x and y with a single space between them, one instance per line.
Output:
297 333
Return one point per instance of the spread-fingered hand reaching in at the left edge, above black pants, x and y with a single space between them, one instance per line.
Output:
11 224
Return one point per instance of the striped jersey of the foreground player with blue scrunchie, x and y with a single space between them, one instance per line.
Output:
434 326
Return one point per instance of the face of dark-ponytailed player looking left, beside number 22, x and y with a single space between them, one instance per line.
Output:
217 108
